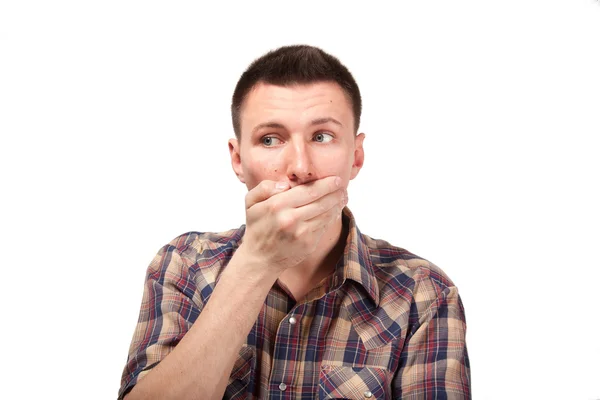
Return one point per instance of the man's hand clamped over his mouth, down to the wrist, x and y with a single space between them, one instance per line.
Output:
284 226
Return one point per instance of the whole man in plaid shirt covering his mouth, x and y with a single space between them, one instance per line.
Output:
296 303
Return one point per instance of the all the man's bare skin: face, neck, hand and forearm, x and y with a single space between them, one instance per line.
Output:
297 184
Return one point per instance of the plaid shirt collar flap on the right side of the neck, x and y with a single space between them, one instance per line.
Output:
356 263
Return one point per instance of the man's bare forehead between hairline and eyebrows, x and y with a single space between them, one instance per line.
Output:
295 103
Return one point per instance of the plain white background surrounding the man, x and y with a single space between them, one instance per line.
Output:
482 120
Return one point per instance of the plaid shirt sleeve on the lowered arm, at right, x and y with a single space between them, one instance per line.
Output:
434 363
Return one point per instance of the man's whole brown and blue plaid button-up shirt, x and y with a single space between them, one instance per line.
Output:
387 324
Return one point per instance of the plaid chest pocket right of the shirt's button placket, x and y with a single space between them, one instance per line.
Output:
356 383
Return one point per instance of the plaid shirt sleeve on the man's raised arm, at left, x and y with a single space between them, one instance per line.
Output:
166 314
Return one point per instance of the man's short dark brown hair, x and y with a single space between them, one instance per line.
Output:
297 64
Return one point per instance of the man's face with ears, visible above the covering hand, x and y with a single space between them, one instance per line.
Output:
297 134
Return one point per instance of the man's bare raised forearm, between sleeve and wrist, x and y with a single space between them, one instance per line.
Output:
200 365
